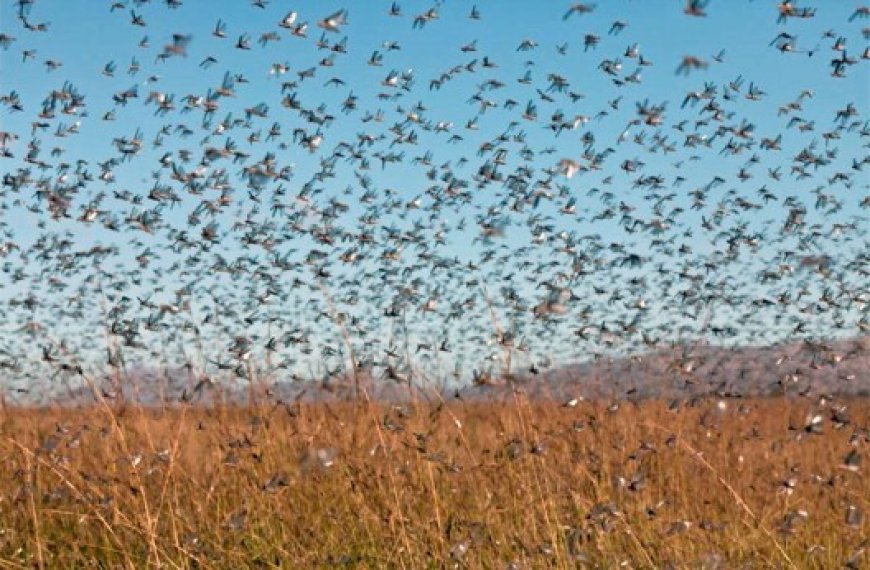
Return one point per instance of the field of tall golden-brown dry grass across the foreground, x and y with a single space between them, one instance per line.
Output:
485 485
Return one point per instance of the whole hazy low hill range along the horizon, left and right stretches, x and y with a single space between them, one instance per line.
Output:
835 368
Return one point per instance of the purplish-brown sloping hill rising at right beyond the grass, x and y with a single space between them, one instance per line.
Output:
841 368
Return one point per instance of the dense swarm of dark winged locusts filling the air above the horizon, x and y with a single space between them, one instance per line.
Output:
292 202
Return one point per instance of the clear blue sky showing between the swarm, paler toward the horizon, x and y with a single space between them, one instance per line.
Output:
87 36
